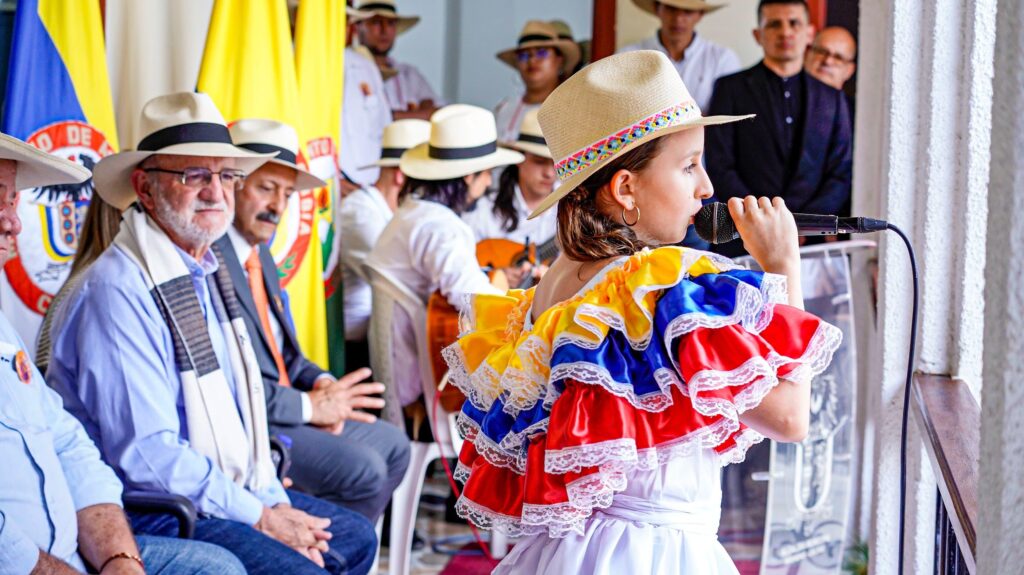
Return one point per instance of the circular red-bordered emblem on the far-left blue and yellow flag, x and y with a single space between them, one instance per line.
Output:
53 216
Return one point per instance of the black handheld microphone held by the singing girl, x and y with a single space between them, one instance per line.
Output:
715 226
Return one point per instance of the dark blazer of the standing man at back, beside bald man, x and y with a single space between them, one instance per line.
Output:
748 158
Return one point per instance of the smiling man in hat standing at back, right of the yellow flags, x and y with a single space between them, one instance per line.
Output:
408 92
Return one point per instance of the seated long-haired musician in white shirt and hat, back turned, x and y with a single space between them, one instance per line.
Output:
426 246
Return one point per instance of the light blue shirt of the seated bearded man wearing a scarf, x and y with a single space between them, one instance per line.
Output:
113 363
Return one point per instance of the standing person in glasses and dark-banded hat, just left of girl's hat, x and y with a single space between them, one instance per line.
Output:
543 61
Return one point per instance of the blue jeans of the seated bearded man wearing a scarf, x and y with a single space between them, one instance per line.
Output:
354 545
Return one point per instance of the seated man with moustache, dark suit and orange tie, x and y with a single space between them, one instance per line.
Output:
338 453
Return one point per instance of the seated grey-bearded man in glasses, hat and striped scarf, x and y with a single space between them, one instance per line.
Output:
172 388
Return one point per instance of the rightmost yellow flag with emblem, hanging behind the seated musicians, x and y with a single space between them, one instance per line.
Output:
320 48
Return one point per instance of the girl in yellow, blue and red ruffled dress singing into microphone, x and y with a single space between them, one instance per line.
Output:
604 404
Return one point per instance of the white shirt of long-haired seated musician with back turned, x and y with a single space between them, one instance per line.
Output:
426 248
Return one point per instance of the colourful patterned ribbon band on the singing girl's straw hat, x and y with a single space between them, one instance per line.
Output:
609 147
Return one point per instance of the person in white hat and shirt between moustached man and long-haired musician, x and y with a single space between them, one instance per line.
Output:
362 219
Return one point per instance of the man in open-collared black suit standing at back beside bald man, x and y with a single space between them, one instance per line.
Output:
799 147
